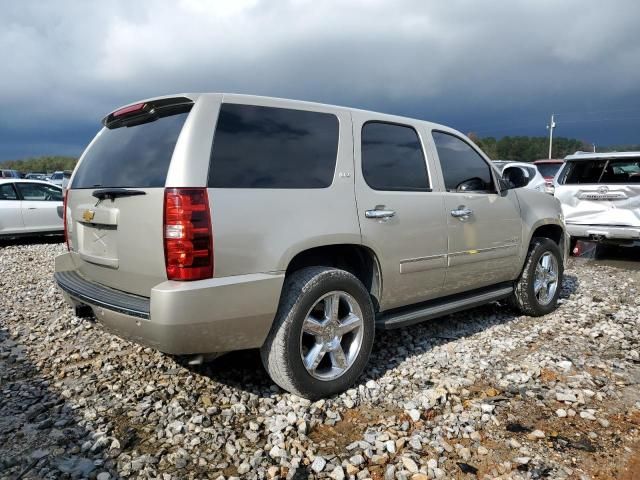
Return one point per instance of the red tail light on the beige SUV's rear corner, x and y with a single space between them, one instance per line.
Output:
188 240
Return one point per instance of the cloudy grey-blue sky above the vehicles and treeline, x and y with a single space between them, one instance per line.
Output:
495 68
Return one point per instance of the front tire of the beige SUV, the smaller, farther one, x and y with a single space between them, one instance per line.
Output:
525 298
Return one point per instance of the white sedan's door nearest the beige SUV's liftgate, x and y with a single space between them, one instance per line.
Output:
41 206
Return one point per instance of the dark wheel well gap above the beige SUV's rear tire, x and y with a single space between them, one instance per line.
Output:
355 259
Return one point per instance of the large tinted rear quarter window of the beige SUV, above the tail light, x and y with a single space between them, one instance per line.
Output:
266 147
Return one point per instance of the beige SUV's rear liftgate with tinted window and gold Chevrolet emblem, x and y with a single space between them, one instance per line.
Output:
116 198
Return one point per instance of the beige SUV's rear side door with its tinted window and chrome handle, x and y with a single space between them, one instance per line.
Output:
401 218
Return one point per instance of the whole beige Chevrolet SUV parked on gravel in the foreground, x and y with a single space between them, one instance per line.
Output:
204 223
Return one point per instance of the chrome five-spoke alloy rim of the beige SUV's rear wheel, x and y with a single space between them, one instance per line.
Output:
331 335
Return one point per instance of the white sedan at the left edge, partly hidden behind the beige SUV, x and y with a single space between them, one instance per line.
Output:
29 207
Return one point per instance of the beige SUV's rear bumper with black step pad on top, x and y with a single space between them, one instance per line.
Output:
207 316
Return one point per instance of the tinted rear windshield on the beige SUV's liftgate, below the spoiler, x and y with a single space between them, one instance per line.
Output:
131 156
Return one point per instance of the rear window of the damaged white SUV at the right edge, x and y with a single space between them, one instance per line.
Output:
602 171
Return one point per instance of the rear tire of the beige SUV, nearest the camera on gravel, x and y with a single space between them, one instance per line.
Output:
305 296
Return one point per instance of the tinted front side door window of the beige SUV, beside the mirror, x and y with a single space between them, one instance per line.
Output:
462 167
